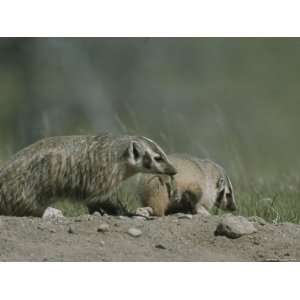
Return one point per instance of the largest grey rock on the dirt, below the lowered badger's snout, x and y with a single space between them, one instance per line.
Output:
234 227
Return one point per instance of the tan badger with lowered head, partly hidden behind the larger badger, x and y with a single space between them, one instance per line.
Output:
198 186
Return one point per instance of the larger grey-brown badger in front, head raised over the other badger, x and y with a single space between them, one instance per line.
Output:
88 168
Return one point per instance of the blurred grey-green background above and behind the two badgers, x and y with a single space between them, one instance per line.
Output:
234 100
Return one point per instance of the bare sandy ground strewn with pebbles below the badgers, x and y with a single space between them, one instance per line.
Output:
163 239
